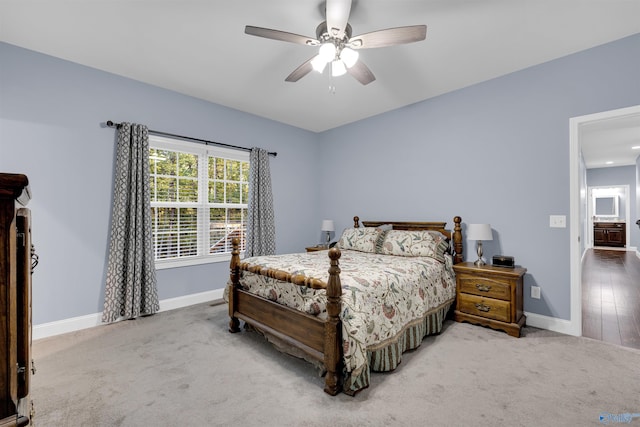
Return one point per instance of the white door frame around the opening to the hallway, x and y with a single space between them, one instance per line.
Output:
575 323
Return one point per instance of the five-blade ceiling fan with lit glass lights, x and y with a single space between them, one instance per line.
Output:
336 44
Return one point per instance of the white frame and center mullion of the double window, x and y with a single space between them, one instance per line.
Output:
203 205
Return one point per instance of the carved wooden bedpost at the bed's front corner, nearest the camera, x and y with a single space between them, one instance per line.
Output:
333 327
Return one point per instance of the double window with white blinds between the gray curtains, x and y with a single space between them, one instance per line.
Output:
198 201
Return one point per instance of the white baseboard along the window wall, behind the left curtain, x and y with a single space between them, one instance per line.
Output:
64 326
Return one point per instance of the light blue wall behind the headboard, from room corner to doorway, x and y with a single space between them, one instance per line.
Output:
496 152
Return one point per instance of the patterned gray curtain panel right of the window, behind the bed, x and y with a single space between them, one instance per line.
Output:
261 228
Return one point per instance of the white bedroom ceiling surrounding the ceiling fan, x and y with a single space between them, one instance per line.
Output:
198 47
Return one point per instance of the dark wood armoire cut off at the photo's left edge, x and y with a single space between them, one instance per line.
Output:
16 366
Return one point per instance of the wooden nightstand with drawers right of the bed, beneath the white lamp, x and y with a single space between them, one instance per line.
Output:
490 296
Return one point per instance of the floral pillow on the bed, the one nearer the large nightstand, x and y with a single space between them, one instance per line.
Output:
415 243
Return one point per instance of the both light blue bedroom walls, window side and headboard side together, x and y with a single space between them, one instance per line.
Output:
496 152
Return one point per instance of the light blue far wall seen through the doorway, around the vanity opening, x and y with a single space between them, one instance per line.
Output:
618 176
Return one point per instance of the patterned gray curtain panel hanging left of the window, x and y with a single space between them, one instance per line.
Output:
130 289
